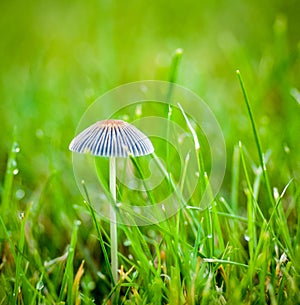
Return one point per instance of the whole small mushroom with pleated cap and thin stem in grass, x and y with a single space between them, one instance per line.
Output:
112 139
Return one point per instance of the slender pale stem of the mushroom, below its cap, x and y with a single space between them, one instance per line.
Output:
113 219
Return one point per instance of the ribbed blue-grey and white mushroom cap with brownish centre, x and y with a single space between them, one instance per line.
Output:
112 138
